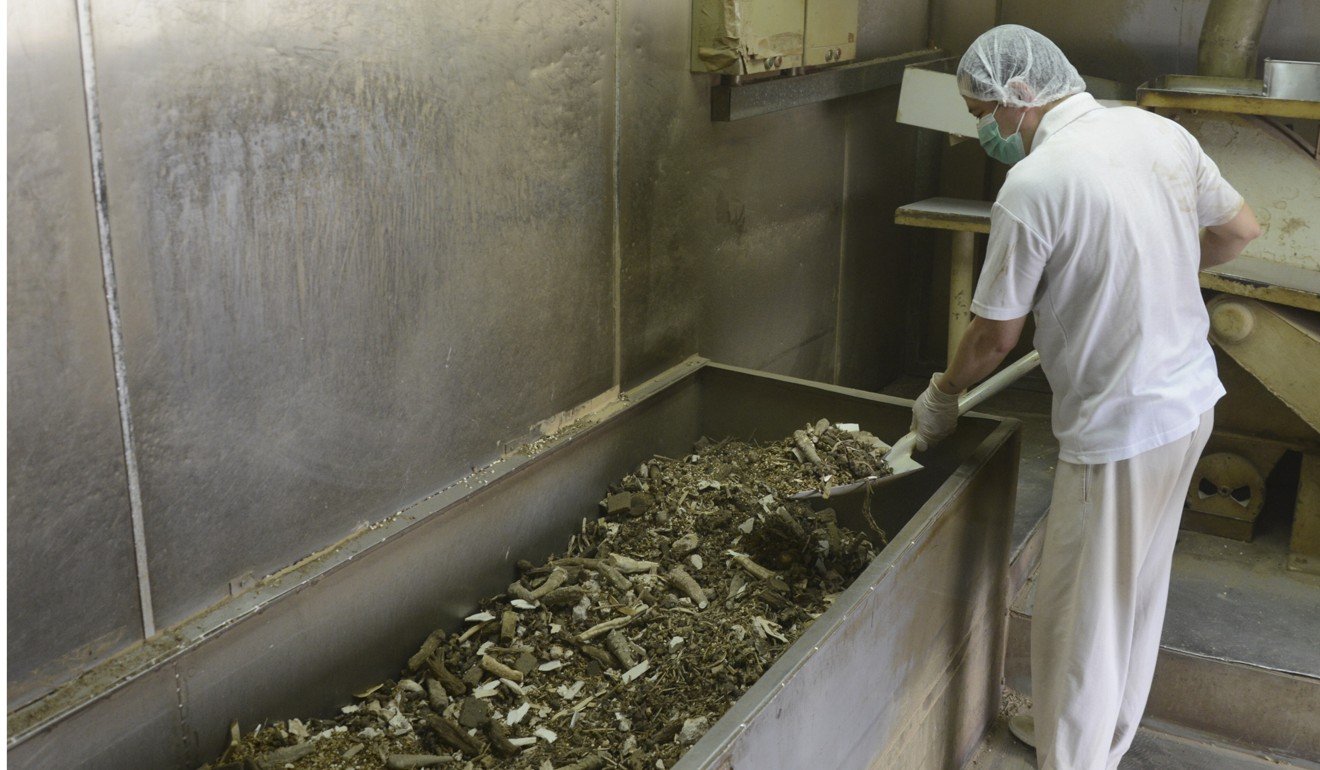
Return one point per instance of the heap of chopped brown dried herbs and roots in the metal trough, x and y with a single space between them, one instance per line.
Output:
621 653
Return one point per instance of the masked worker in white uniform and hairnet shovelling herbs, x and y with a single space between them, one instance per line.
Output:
1099 232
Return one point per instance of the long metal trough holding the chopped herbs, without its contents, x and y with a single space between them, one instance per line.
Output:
904 672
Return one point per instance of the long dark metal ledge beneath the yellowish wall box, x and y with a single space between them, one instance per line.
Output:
739 100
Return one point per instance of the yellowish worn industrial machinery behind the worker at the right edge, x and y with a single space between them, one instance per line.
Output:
1265 308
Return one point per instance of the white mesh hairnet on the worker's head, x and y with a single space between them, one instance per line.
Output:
1017 67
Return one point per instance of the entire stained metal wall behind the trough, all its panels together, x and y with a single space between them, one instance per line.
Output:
358 246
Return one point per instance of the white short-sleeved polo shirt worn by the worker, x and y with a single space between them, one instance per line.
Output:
1098 233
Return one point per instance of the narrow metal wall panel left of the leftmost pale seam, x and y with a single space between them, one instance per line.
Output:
73 586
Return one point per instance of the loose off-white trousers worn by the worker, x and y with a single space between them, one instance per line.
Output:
1100 600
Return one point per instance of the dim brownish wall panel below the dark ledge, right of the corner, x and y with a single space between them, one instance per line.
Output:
773 228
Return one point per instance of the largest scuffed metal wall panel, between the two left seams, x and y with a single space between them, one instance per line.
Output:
358 245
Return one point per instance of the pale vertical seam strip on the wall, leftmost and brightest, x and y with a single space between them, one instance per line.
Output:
117 335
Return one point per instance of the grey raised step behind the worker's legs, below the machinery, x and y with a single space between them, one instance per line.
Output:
1239 660
